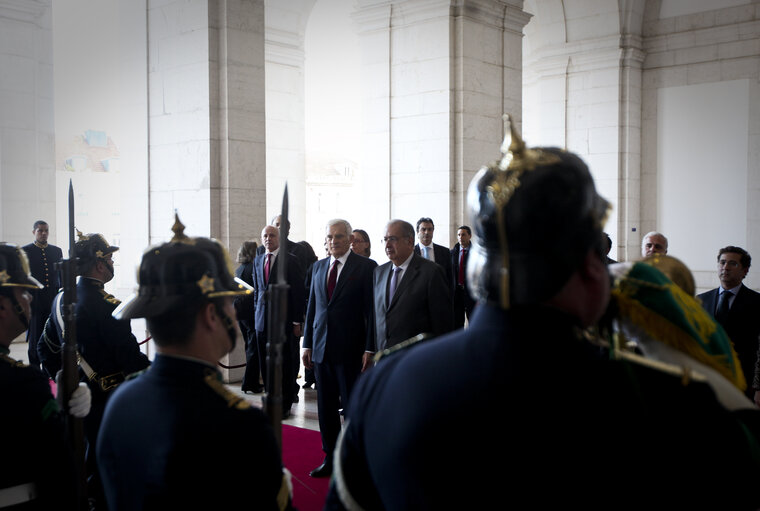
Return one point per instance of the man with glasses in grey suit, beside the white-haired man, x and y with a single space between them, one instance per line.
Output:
417 300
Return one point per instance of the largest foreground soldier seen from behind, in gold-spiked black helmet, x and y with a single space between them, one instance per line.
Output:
576 429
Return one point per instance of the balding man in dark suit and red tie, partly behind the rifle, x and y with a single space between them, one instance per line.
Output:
264 273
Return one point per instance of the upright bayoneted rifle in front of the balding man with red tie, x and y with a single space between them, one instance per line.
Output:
277 317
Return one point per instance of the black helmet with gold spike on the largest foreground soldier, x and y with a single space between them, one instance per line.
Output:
535 214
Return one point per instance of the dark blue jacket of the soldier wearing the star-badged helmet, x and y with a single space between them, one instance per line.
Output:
174 437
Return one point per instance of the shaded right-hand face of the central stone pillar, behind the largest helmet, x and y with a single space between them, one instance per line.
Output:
487 83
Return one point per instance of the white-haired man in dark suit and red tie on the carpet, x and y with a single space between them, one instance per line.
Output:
339 330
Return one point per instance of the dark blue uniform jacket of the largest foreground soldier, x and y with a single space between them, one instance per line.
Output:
579 430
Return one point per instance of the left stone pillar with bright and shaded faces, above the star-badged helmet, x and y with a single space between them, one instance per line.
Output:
207 139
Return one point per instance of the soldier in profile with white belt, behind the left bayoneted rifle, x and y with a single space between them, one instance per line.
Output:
108 352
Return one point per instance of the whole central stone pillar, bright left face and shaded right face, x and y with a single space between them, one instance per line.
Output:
439 75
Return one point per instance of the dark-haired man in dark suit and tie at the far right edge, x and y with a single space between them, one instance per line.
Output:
737 308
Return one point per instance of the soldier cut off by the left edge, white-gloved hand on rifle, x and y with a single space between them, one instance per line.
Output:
37 472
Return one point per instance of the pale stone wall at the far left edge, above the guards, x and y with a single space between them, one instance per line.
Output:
27 145
